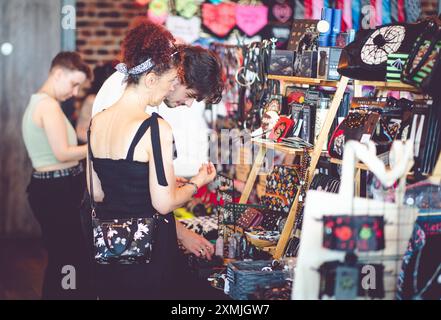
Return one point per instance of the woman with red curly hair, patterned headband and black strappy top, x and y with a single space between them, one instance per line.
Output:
132 164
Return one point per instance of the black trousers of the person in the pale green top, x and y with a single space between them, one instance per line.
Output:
56 206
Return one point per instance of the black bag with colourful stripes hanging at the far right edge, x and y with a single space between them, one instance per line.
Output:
423 68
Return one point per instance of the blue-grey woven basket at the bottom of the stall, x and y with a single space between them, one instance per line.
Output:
245 276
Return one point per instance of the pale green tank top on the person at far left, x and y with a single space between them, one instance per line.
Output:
35 139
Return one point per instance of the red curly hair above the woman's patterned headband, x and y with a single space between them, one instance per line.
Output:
148 40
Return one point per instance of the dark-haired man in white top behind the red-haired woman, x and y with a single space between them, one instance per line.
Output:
201 81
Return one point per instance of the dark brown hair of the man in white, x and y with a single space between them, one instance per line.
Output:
202 73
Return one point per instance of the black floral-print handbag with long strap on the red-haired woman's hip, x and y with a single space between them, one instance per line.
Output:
119 240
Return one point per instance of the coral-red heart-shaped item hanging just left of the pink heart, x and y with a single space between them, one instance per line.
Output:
220 19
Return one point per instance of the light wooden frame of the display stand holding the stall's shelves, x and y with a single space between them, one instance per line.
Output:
316 152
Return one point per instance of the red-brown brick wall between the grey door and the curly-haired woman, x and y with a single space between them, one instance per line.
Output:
101 26
